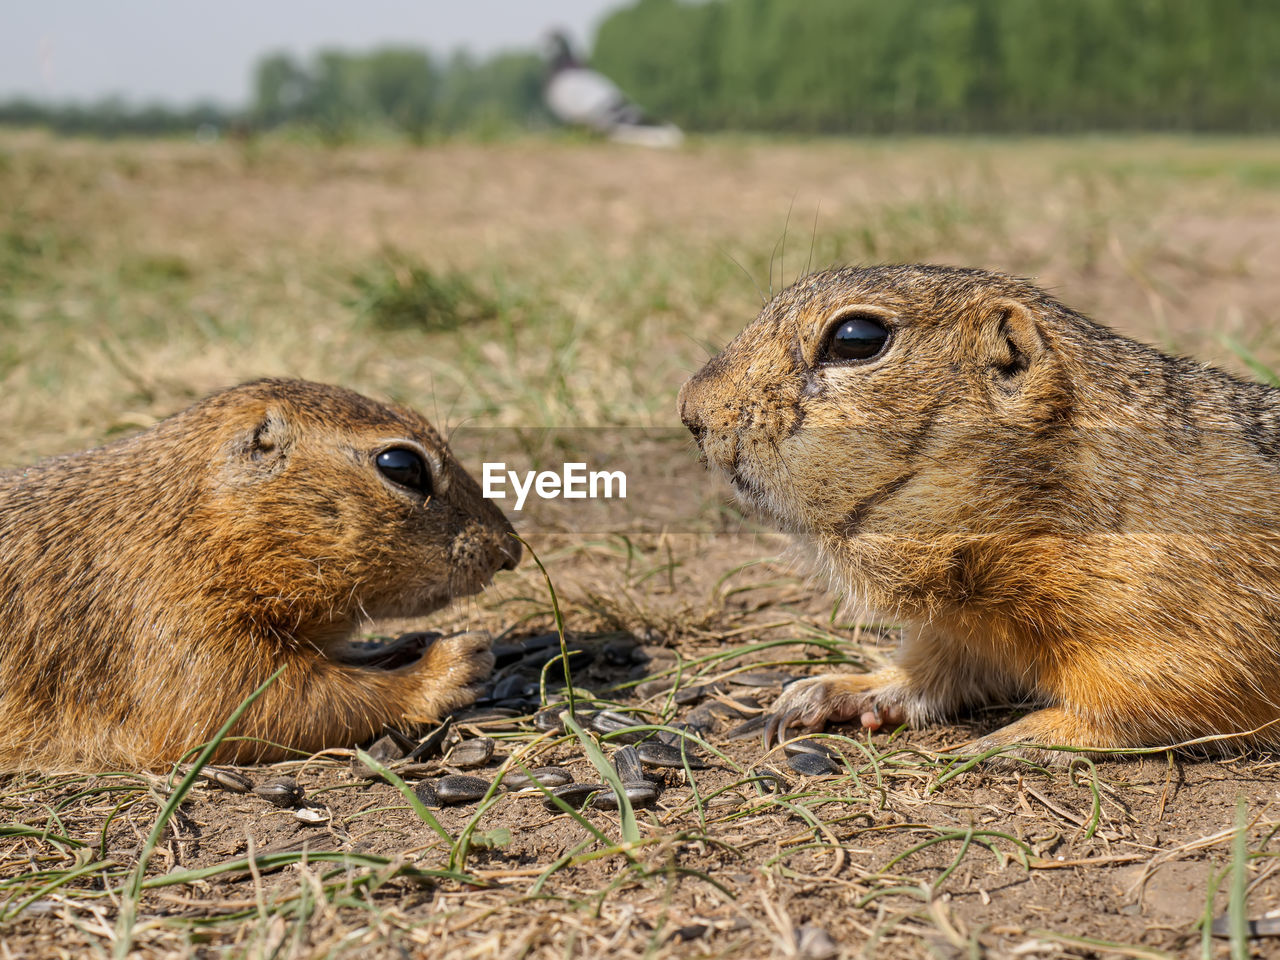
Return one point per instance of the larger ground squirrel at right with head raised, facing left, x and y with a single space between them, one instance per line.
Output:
1053 511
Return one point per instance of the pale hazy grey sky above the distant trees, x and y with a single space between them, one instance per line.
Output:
179 52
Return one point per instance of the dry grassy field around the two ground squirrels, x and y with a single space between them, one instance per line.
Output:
566 285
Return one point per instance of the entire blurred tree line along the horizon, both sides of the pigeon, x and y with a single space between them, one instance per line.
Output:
813 67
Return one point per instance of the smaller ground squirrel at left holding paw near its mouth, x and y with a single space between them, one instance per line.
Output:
148 587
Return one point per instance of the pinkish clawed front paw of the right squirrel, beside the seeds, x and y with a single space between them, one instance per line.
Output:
815 702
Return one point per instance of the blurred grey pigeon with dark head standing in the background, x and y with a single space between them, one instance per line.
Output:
583 98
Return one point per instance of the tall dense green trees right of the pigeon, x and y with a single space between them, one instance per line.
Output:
941 66
